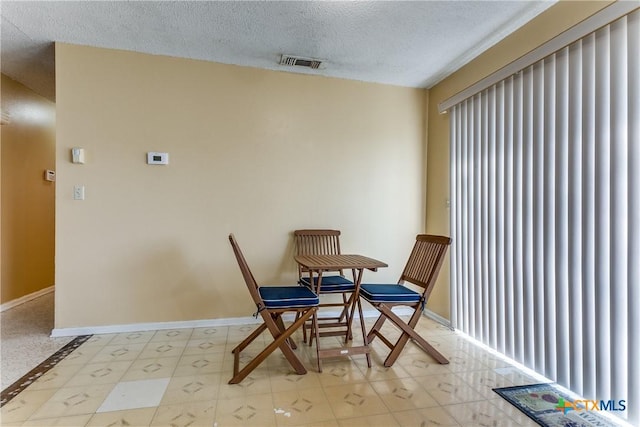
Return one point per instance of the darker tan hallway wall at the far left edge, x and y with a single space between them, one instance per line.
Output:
27 209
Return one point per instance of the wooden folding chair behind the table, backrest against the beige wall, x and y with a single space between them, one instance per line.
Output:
325 242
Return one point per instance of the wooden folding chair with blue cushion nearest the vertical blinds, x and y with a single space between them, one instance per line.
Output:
422 270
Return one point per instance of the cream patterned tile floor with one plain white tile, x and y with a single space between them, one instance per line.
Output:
179 378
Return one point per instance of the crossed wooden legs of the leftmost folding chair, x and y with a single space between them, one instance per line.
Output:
280 338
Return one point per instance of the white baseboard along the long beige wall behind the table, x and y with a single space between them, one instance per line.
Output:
205 323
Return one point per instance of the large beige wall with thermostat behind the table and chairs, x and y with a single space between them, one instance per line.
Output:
258 153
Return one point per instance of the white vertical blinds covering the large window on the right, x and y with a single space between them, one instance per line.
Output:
545 215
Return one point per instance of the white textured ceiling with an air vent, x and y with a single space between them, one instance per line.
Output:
413 44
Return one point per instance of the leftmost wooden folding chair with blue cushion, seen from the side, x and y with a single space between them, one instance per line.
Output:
271 302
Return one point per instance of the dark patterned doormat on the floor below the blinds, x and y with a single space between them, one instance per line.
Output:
548 406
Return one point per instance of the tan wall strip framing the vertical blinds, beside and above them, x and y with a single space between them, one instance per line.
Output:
544 27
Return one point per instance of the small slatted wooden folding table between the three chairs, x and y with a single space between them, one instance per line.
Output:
357 264
